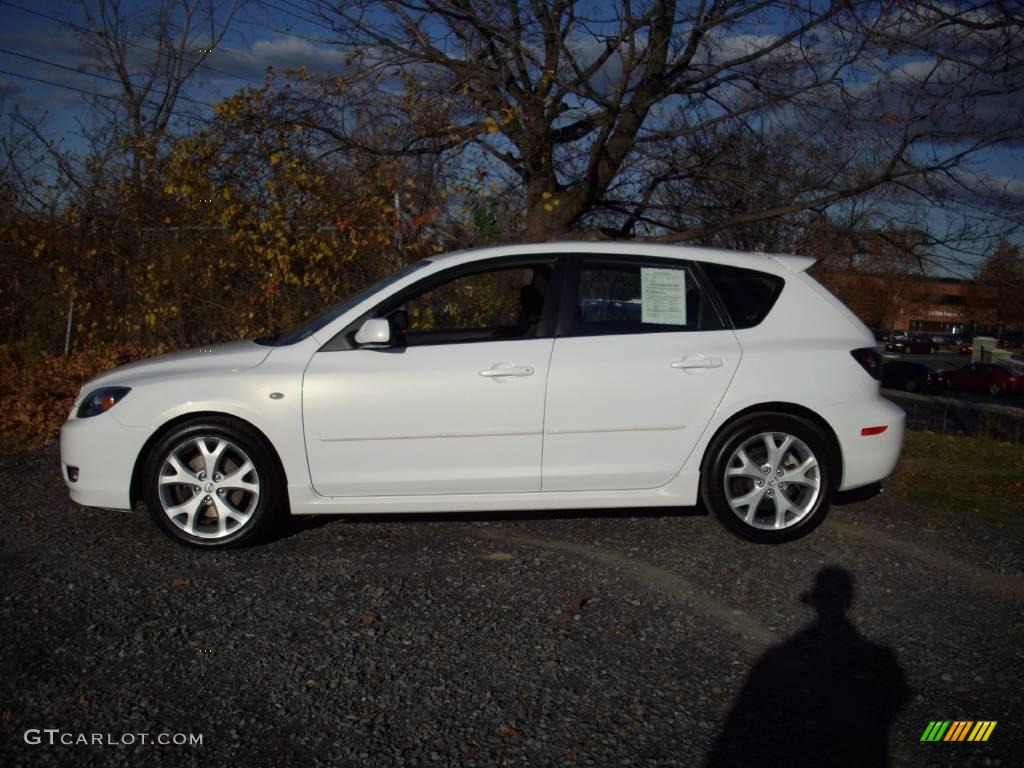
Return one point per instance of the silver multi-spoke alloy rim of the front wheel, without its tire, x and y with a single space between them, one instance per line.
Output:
209 488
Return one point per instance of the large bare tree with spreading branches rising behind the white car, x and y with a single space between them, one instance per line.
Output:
685 120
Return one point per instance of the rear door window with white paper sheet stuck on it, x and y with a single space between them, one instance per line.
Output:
633 297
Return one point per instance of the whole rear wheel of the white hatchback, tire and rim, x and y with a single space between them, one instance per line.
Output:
769 478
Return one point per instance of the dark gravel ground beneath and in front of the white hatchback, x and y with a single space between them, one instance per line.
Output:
612 639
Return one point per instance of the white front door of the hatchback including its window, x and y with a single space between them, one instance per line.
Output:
454 406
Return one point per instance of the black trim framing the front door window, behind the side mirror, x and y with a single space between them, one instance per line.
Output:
346 339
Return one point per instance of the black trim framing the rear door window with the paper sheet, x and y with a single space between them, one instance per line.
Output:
571 291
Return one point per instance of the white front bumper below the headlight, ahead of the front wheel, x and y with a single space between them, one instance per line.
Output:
105 453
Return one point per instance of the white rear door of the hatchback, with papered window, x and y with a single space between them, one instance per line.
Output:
639 368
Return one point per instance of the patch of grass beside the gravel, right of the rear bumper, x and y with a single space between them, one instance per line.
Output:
963 476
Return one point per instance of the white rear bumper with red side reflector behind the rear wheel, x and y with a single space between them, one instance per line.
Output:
870 458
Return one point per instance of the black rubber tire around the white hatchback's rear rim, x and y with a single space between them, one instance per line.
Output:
716 487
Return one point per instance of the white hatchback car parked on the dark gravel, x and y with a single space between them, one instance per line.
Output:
550 376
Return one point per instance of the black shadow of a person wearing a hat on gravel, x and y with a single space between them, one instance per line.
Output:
827 697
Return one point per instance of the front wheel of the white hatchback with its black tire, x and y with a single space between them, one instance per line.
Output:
259 508
